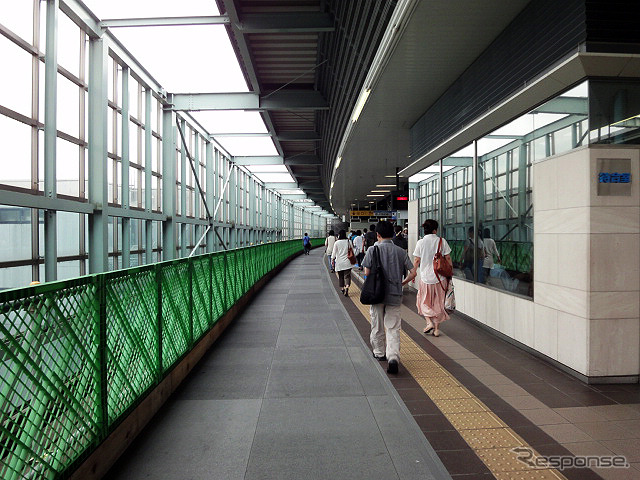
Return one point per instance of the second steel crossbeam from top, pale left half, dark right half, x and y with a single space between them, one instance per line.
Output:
282 100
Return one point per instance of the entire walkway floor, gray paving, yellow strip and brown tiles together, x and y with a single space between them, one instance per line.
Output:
291 391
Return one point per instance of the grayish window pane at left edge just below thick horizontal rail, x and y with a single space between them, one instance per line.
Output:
15 233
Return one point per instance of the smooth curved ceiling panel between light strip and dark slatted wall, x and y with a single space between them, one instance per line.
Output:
432 53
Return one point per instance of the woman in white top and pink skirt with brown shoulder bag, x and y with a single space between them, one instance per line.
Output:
431 290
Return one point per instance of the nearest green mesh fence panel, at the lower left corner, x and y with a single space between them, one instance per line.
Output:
48 378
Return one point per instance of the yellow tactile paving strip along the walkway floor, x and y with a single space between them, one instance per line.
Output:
488 436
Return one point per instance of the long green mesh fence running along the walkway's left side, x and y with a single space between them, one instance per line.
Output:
76 356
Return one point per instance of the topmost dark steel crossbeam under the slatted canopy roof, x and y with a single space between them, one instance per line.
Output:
297 22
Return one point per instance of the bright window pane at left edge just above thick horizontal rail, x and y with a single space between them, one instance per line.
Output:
15 138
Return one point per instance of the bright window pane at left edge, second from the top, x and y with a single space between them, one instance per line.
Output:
15 88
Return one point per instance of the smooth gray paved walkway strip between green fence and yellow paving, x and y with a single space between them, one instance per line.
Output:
290 391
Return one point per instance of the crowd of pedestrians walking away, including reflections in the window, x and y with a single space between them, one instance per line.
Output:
389 244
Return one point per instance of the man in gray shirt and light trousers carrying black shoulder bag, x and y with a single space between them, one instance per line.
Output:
385 317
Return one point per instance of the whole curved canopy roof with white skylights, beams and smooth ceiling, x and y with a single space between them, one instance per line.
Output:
325 90
